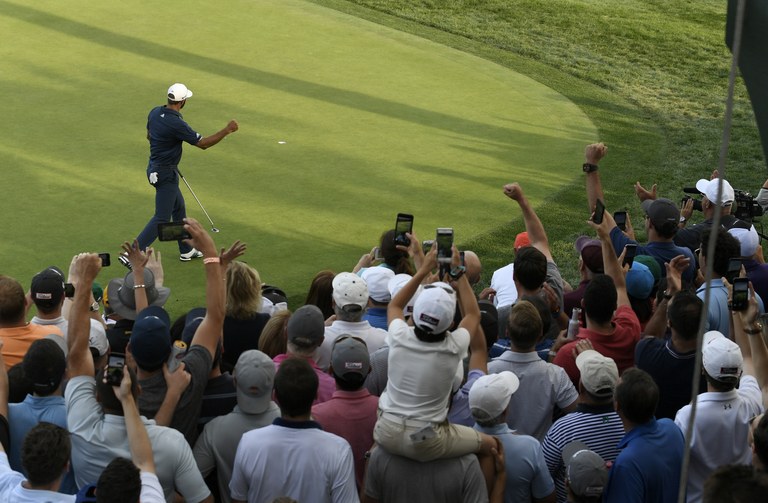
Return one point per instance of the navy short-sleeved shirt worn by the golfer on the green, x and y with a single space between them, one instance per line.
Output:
167 130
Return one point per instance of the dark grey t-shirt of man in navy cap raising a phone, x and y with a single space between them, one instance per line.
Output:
198 363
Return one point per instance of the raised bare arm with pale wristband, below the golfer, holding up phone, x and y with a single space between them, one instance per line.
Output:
209 331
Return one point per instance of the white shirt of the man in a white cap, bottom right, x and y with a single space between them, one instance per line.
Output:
720 431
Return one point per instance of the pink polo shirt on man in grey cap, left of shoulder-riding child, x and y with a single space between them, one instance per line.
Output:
352 416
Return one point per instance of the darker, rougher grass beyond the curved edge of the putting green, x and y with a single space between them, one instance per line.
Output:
651 75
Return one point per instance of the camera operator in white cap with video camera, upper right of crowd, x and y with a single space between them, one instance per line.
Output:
690 237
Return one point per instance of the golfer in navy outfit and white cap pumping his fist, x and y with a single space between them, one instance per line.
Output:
166 131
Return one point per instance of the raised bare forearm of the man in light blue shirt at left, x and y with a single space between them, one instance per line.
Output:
79 360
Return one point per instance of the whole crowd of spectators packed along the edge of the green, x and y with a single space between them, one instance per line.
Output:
401 379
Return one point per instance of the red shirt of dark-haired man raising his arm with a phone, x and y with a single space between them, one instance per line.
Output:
619 344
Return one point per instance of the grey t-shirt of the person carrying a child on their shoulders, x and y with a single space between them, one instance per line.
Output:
393 479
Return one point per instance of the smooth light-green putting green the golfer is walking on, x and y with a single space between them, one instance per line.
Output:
343 122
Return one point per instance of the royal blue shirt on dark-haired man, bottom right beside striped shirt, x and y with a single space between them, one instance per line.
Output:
648 466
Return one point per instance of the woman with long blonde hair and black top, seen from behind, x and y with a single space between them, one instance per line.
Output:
244 320
